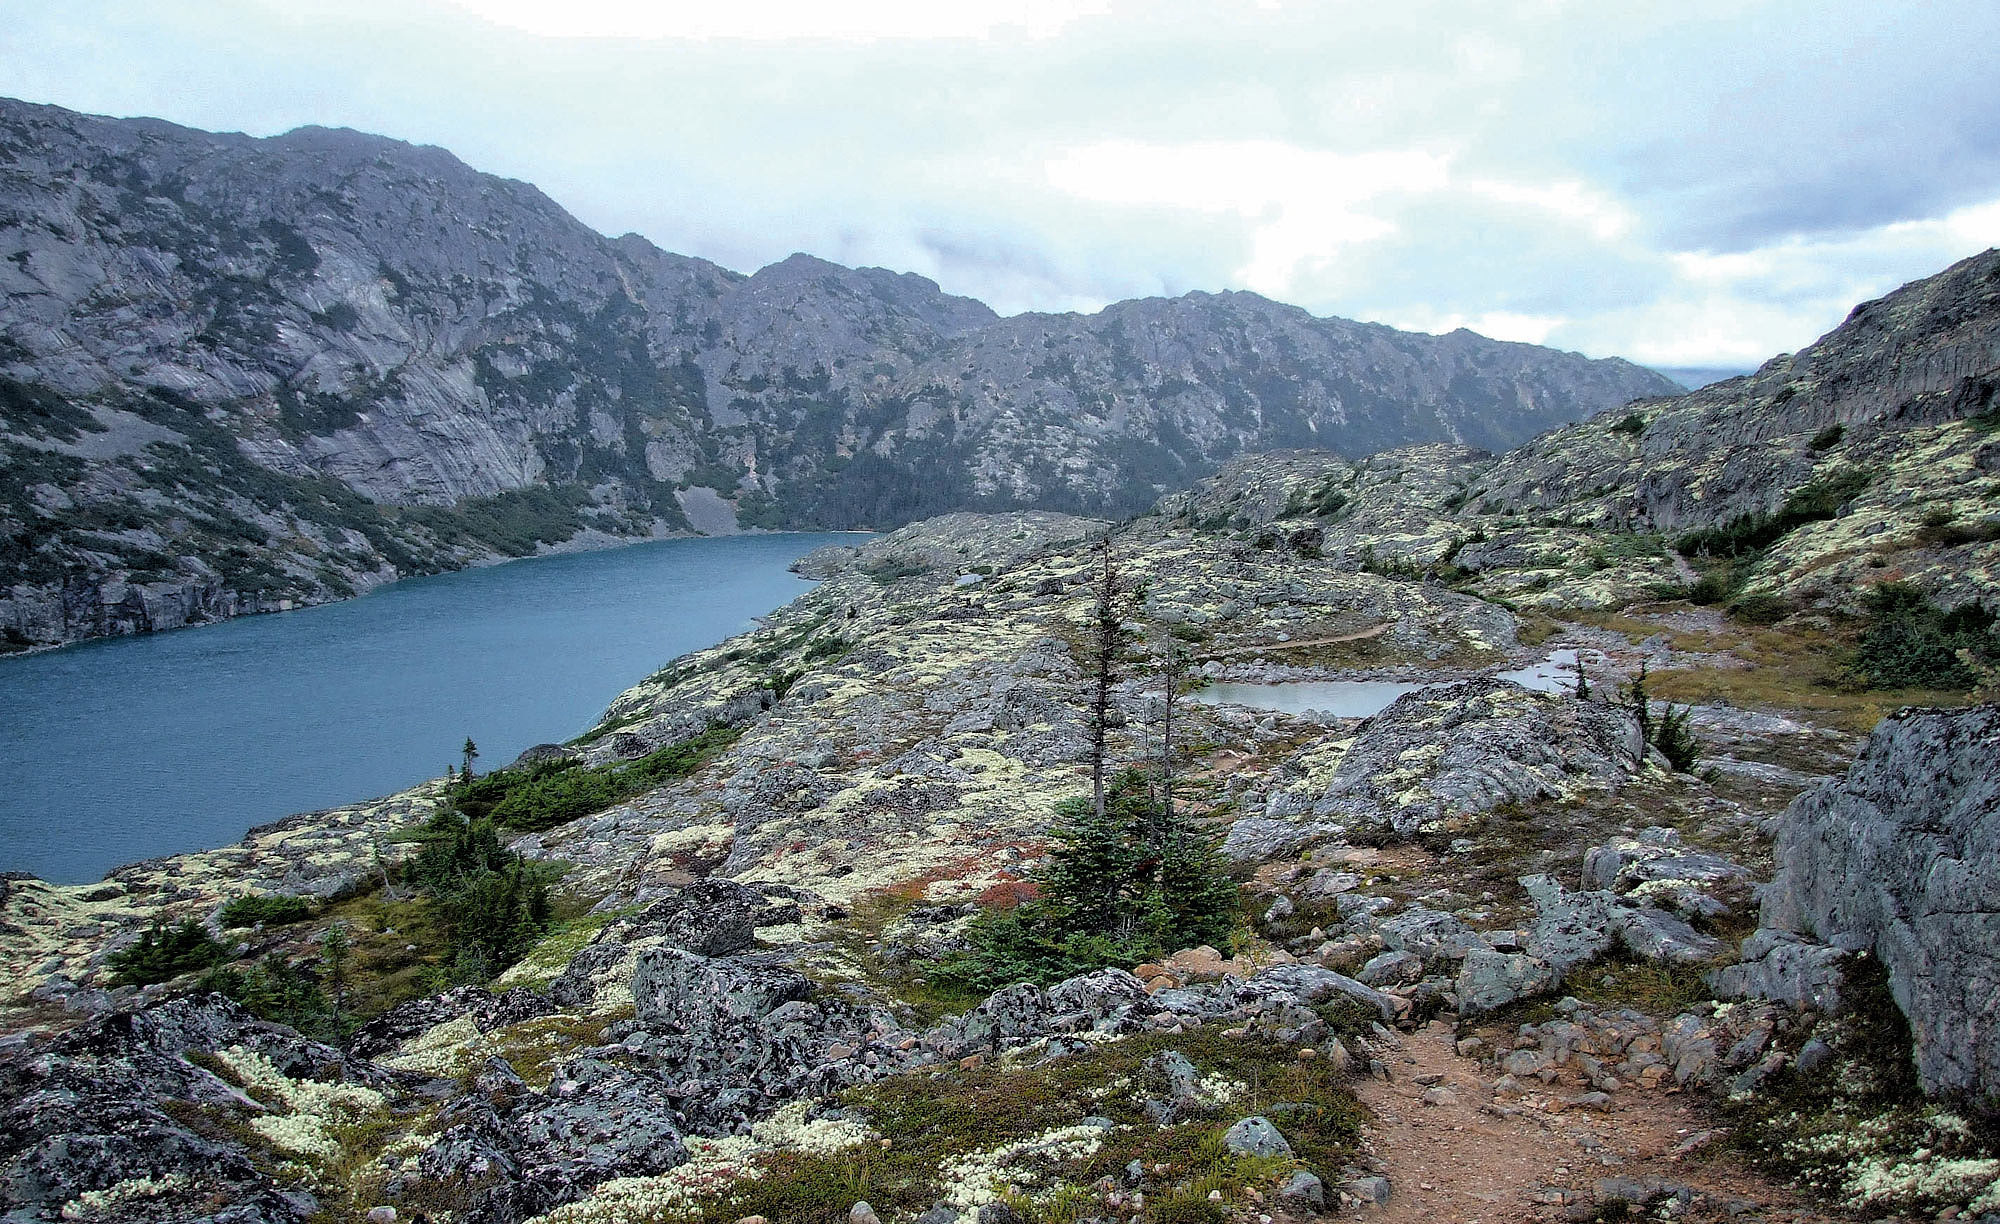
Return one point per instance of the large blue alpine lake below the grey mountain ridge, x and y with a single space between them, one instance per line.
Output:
141 747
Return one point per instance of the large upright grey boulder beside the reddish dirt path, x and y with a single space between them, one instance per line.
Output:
1899 859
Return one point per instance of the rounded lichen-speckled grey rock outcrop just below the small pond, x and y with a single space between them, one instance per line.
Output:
1439 759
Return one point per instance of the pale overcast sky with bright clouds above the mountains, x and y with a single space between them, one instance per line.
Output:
1687 183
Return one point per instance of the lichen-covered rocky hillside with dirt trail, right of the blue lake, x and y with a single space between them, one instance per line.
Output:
1709 933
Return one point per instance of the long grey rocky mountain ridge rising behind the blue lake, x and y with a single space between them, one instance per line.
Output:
241 375
